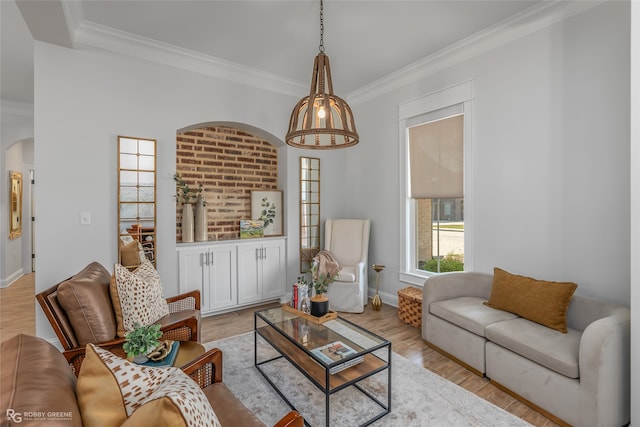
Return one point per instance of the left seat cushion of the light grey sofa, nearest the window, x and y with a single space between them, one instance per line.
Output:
469 313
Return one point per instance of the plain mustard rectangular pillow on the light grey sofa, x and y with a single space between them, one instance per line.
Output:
540 301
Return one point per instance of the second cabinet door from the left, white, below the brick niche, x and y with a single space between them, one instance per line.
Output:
222 277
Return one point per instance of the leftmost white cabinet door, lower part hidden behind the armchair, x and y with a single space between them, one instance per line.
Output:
194 273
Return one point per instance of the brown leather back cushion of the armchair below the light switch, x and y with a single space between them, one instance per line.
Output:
87 304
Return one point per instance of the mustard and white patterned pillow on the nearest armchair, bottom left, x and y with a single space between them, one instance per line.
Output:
113 392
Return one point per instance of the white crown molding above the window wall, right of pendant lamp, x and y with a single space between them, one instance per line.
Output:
530 20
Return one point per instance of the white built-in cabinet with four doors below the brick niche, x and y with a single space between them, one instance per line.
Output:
232 274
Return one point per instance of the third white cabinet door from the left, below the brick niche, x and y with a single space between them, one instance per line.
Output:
249 272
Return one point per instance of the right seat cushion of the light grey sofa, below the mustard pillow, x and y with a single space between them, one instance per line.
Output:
550 348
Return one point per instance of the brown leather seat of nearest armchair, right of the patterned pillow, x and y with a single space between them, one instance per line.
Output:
229 410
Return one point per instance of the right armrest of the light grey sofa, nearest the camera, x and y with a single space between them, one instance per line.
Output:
604 363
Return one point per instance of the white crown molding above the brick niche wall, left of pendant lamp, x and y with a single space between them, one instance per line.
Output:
121 42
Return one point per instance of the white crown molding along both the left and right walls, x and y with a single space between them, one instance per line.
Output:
88 33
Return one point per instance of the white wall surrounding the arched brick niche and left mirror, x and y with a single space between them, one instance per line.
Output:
84 100
